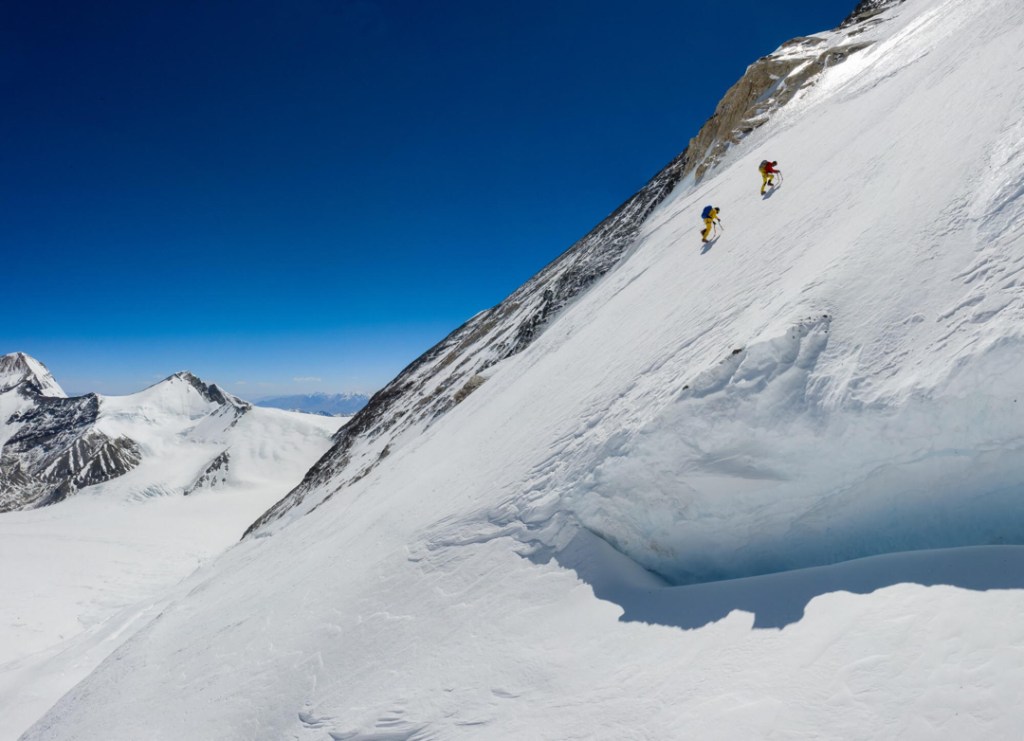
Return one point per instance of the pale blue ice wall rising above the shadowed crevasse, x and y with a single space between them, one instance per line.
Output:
797 485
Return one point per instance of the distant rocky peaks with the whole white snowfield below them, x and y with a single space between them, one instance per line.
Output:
163 481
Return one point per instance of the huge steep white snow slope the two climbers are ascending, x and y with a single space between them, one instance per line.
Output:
824 407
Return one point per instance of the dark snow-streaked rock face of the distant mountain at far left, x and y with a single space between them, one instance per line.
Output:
56 452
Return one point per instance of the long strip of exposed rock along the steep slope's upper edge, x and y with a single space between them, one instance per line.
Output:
447 374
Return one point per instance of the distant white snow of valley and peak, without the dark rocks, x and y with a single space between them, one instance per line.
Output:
80 577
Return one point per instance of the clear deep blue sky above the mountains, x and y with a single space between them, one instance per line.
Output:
298 196
